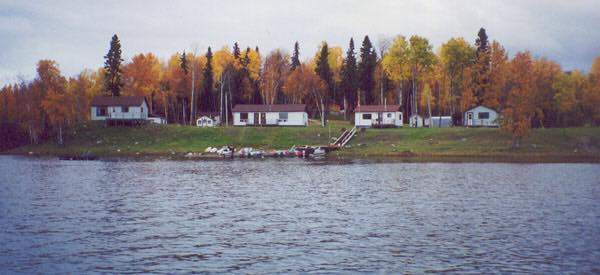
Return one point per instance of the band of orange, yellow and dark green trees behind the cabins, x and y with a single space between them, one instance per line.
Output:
529 91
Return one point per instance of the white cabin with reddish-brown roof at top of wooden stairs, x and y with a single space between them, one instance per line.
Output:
380 116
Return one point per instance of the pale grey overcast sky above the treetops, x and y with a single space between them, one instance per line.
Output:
77 33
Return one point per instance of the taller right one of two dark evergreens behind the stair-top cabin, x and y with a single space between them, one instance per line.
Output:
366 70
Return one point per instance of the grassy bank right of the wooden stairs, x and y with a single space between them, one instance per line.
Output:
474 141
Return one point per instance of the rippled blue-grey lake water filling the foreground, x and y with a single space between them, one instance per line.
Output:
282 216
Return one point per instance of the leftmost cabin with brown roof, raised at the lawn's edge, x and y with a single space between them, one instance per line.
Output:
119 108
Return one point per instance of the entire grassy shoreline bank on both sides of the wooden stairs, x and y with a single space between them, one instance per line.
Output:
166 139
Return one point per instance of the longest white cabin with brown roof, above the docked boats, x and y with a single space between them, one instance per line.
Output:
270 115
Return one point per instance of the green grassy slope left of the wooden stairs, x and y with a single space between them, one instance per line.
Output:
93 137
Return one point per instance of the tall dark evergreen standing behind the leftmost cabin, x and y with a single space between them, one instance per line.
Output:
112 68
